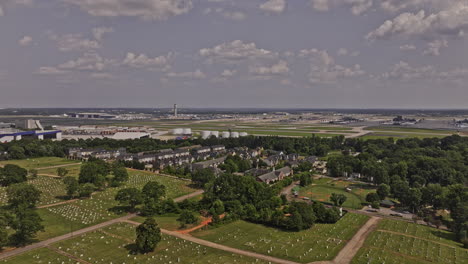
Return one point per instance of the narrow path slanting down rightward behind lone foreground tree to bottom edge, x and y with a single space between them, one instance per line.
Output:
220 247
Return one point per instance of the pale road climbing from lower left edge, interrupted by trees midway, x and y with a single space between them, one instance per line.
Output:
47 242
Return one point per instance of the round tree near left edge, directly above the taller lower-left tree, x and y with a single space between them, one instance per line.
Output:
23 195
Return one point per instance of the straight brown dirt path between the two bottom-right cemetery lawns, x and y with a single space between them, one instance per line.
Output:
349 251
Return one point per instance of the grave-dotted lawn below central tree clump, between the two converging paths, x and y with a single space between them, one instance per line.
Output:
321 242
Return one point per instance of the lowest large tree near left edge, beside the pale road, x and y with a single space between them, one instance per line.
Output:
26 223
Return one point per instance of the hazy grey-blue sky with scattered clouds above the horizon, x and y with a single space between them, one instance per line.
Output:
234 53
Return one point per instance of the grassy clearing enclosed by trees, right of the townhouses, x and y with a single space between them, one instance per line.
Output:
321 190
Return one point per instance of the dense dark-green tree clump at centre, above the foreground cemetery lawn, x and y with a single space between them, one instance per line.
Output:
242 197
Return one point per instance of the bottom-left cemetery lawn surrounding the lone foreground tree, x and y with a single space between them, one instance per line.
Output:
112 244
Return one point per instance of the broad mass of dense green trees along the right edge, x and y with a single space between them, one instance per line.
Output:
422 174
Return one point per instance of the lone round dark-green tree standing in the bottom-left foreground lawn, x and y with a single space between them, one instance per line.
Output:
148 236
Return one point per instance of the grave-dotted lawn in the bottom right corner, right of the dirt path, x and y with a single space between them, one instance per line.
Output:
403 242
